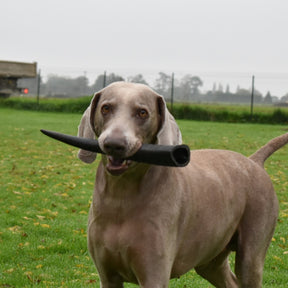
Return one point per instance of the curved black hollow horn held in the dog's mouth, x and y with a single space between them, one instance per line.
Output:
163 155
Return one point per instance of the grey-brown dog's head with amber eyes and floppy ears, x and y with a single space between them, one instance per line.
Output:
123 116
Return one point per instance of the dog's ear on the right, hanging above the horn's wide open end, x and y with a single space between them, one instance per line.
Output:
168 131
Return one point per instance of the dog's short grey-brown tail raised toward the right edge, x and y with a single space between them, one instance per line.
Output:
267 150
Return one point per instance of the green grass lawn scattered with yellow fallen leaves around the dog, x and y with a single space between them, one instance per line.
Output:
45 192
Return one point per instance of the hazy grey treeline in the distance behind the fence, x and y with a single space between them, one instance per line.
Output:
186 89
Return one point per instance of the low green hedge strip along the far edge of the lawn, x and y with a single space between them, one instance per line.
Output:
199 112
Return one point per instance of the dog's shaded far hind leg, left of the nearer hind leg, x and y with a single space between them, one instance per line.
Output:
218 271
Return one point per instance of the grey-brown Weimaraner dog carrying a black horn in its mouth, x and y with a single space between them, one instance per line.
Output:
148 224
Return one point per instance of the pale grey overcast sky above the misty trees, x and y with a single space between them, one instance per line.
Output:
218 40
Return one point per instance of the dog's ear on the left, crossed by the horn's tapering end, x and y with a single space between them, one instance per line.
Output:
86 129
